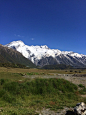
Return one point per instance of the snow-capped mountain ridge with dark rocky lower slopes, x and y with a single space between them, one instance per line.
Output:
42 55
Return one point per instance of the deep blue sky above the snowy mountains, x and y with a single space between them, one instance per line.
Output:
59 24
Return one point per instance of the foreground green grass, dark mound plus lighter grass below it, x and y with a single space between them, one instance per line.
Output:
23 98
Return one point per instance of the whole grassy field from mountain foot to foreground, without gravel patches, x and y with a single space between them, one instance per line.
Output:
24 96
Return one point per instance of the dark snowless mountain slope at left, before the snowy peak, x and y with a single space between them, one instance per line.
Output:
9 55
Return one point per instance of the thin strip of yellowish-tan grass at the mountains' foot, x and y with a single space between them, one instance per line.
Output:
43 71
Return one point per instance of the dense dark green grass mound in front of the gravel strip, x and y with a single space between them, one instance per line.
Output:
40 87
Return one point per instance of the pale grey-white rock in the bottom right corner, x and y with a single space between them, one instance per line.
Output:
80 109
